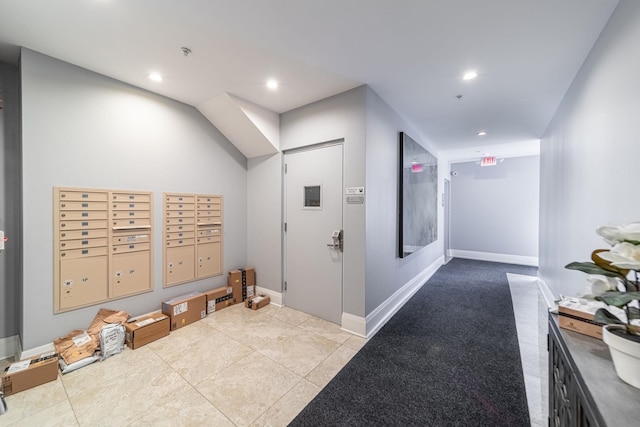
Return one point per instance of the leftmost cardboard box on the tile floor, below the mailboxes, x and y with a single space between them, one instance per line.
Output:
28 373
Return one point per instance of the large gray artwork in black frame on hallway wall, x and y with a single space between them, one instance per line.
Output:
418 197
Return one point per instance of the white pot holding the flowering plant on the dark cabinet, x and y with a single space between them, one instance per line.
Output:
625 354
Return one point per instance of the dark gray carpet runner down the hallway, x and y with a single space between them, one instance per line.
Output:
449 357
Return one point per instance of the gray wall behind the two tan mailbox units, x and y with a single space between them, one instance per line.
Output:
81 129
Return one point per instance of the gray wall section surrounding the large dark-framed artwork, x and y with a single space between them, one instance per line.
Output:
385 272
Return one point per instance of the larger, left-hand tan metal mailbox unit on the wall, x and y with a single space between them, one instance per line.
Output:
103 245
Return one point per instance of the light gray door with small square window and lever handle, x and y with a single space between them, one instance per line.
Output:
313 233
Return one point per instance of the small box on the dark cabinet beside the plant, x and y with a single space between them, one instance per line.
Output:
576 314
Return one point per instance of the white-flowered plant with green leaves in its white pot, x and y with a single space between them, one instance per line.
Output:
615 280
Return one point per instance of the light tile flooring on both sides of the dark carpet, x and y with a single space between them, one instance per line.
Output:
238 367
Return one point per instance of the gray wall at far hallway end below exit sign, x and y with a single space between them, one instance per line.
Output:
494 209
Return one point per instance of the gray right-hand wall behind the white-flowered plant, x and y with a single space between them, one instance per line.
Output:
590 152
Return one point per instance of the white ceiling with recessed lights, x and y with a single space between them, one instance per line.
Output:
412 53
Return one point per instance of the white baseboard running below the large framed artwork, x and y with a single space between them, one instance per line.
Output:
381 315
